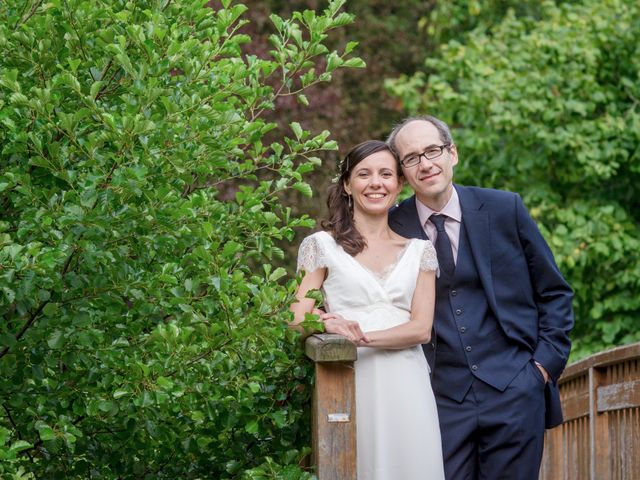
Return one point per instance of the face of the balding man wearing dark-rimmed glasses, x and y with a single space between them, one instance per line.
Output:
432 180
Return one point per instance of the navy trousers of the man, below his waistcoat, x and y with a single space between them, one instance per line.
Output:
495 435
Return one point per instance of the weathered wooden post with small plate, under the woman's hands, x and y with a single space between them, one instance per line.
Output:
334 407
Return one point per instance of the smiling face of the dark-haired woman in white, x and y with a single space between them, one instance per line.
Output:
374 184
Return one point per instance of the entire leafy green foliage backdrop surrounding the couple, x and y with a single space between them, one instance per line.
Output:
156 173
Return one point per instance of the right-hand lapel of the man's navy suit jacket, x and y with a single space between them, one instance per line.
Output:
476 222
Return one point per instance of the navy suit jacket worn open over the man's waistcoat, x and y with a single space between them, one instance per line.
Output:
524 288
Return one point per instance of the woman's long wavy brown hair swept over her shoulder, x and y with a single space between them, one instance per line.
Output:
340 222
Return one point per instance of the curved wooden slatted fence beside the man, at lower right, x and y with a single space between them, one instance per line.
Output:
600 437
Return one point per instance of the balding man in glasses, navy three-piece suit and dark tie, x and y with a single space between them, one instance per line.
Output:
503 311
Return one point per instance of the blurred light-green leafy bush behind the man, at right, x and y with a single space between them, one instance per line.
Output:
549 107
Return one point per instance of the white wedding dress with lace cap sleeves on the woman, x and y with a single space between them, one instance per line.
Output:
397 426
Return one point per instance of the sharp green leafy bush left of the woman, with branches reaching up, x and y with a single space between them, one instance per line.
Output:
143 331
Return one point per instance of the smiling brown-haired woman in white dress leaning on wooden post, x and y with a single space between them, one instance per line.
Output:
379 291
